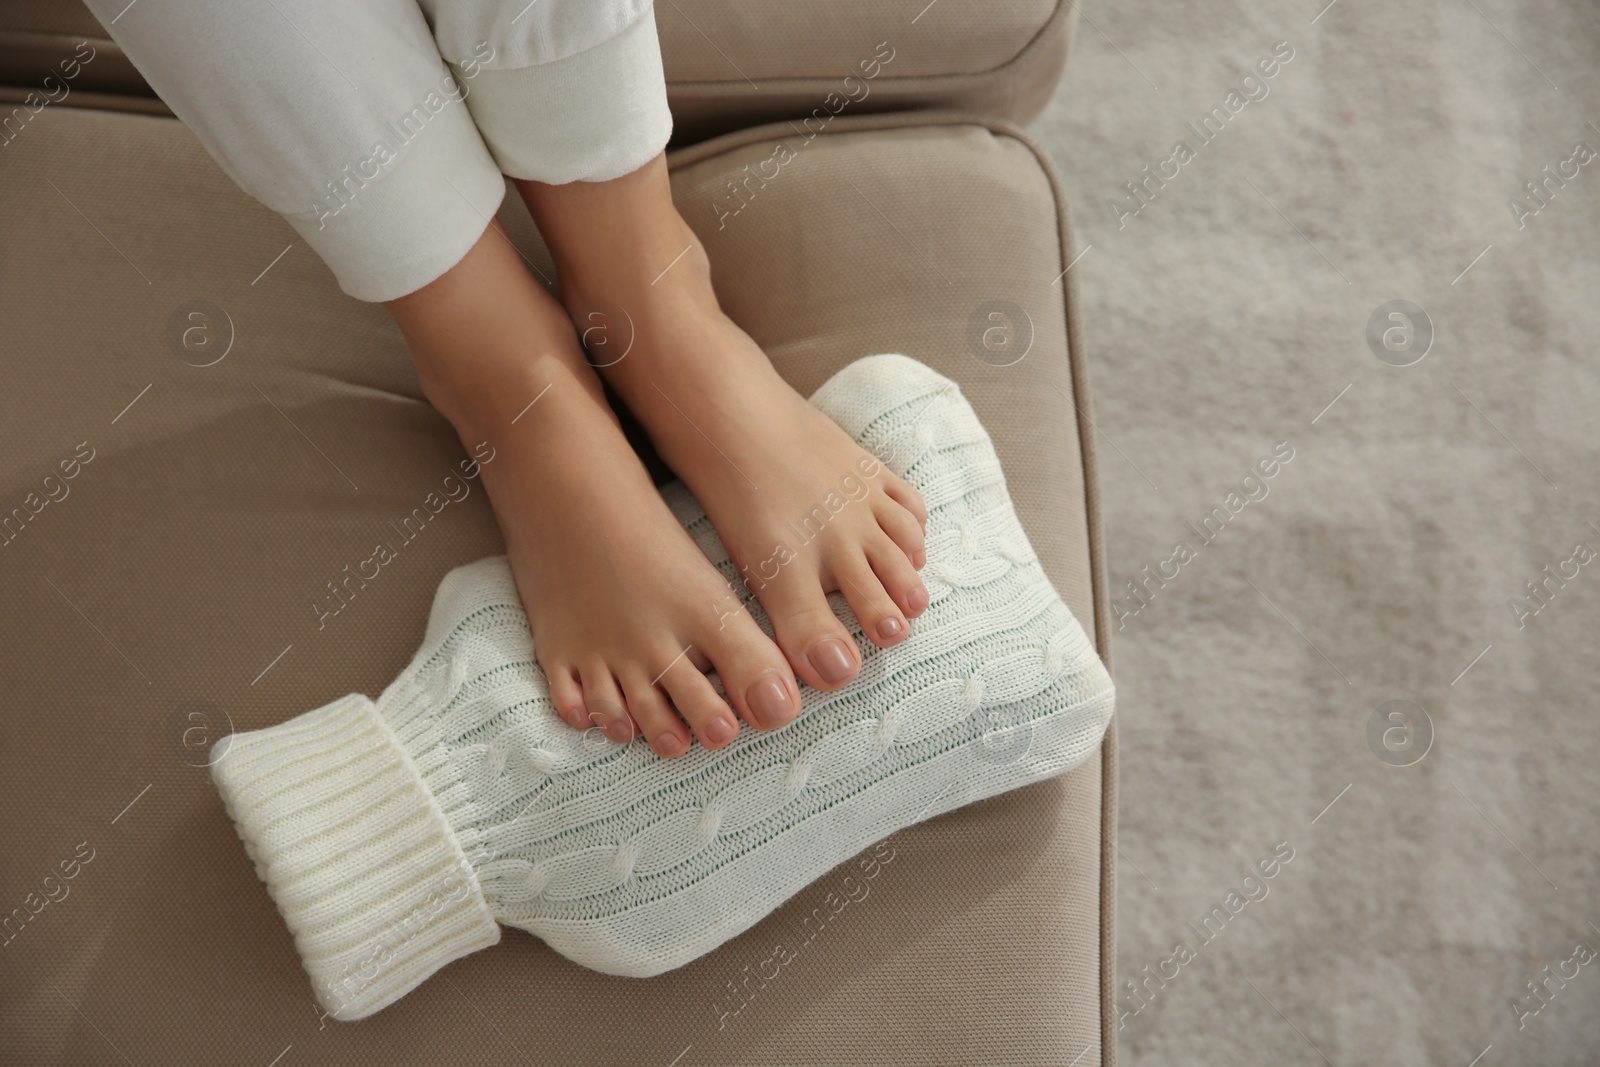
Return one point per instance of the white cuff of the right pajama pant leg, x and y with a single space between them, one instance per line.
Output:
594 116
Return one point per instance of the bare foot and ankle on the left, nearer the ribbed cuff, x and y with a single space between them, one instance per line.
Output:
626 612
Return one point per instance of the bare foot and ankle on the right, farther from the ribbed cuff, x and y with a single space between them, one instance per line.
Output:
801 508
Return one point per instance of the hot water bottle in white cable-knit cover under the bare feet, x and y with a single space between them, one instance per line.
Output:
396 834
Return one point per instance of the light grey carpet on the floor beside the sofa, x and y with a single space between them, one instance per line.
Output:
1382 564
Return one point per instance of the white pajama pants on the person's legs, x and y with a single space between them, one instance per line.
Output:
382 129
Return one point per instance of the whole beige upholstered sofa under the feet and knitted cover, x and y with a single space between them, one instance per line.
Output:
162 593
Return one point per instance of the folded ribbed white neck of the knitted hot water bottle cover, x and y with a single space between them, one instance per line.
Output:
356 850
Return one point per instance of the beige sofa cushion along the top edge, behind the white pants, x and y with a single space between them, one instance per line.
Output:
729 65
